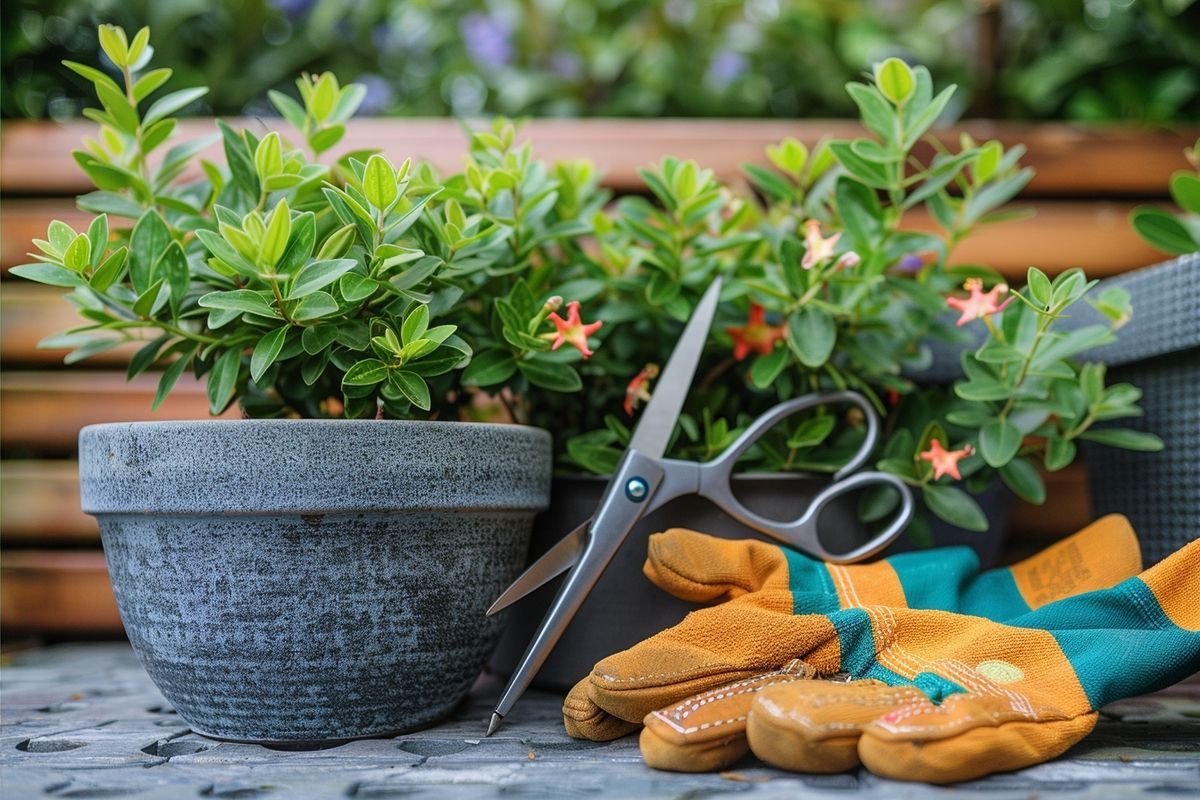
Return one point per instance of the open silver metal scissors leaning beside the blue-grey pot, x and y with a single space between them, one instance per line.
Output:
645 482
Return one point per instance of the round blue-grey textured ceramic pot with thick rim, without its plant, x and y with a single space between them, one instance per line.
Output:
311 581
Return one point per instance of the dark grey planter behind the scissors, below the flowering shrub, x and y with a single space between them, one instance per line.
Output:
625 607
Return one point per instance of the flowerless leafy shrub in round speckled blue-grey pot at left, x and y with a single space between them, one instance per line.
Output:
290 578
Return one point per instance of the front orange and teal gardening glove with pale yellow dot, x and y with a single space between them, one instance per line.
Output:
945 697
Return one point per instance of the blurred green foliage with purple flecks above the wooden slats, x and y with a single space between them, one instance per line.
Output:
1039 59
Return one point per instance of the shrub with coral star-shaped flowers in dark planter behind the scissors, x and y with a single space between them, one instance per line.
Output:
831 290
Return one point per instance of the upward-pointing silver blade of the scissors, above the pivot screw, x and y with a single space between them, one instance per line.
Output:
662 413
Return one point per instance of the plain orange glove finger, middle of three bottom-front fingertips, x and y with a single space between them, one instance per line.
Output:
815 726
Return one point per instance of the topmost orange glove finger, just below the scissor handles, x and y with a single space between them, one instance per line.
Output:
700 568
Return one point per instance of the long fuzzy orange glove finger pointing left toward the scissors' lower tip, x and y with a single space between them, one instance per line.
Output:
709 649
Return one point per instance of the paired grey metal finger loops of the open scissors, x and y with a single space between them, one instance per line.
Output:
716 477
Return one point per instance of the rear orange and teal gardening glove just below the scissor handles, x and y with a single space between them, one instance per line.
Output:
766 587
